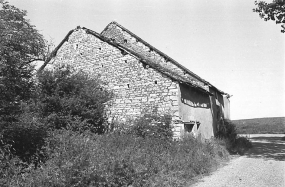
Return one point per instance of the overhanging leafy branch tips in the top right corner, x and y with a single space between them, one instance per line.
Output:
274 11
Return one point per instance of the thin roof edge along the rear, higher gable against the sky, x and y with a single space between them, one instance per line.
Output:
187 71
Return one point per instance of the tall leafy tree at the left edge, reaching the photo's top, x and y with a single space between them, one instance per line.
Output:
20 45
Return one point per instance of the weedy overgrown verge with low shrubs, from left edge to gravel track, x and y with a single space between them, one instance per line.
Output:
144 155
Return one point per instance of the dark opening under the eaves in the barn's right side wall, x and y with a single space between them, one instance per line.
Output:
193 98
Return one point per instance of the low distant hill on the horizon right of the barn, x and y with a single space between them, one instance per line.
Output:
275 125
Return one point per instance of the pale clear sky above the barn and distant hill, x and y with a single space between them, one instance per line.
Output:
222 41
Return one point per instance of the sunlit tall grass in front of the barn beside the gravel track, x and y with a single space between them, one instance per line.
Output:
118 159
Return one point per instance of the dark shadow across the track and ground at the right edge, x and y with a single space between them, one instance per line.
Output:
267 148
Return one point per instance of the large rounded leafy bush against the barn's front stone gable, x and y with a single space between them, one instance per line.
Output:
66 99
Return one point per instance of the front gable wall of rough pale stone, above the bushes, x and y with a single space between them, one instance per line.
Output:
135 86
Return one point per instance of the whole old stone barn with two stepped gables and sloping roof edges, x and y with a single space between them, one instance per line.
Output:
141 76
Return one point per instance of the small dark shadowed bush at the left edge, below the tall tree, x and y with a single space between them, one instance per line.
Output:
25 138
